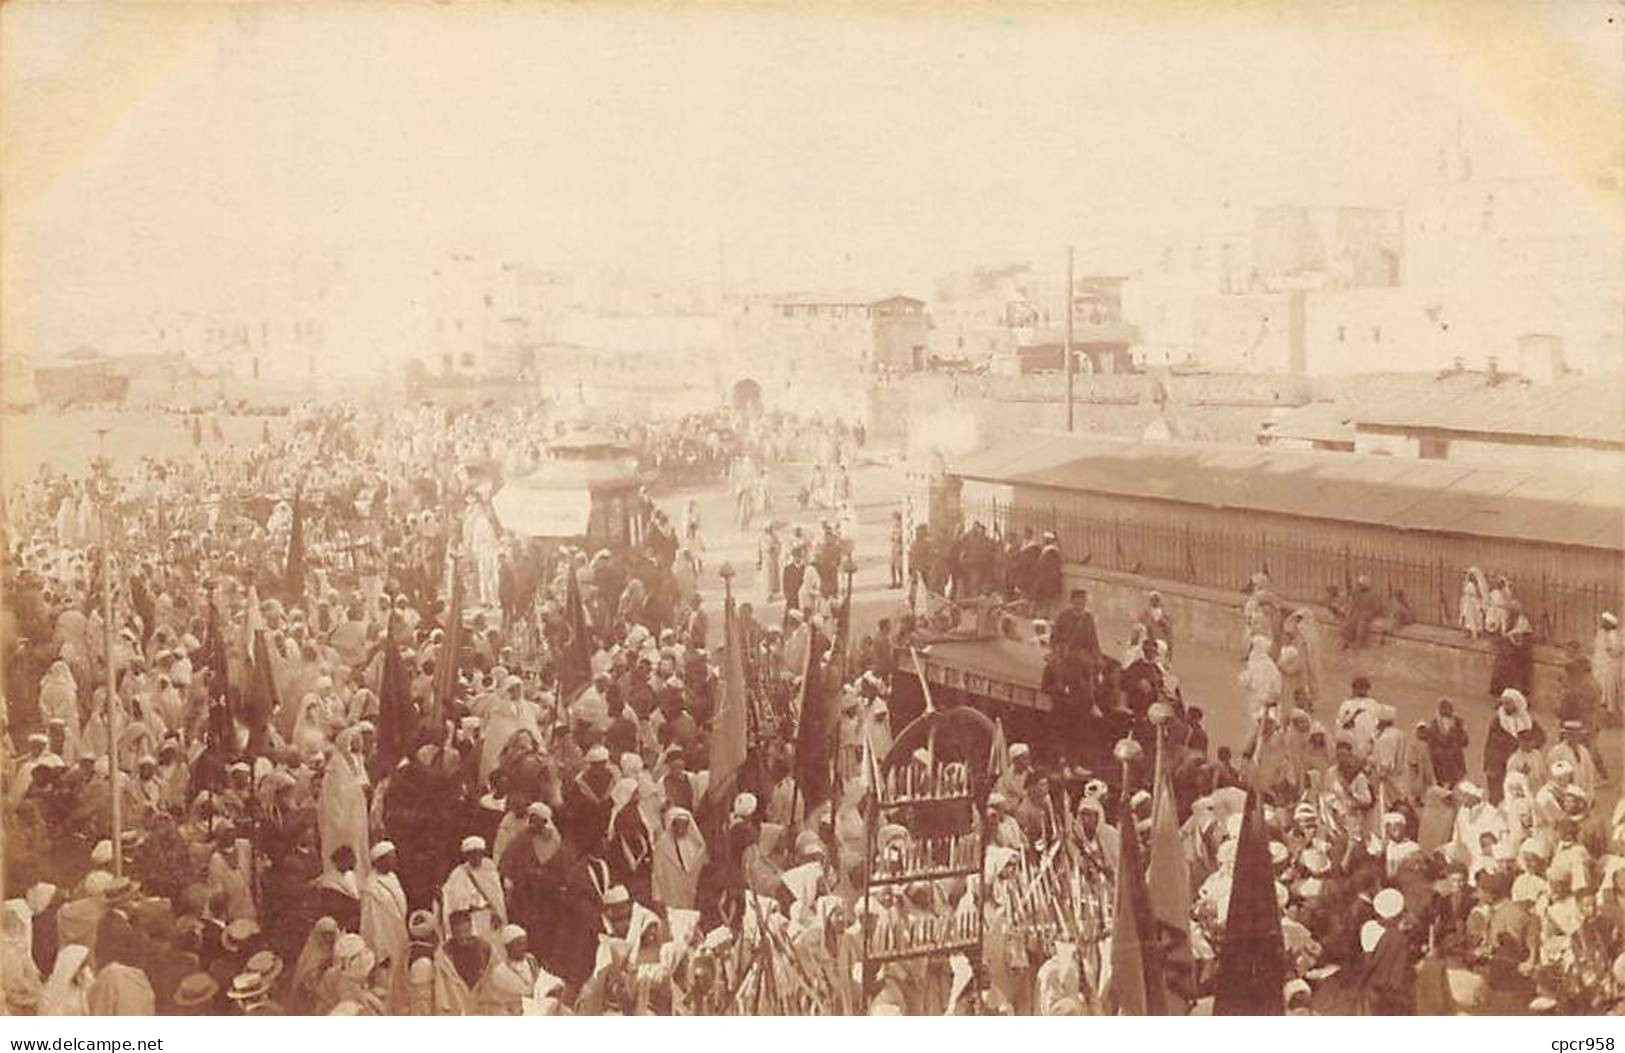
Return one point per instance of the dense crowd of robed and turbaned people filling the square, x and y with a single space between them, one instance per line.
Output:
357 769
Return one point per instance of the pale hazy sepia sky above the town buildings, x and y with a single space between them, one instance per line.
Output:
175 155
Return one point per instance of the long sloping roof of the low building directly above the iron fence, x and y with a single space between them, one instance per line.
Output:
1387 492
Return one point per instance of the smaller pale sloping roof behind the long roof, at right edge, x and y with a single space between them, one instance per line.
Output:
1592 409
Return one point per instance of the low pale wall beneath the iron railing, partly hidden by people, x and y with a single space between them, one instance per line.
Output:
1421 656
